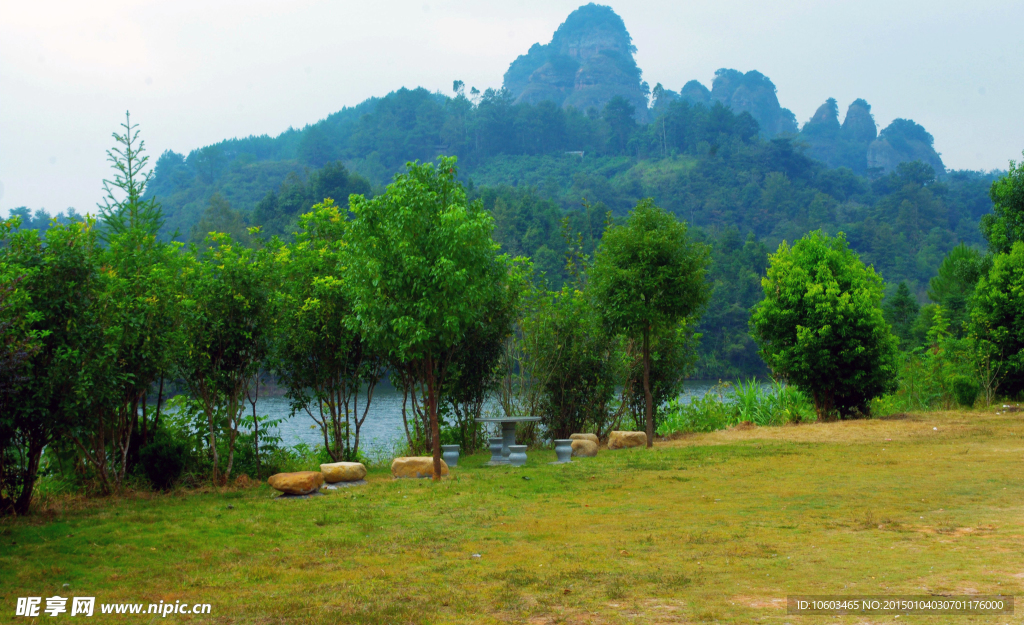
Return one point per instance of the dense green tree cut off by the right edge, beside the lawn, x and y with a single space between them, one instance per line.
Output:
998 315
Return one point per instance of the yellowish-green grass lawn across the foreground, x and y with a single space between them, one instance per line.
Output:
710 528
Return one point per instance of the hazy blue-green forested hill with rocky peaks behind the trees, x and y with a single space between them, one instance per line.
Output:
574 135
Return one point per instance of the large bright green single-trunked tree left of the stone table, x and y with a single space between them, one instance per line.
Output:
425 272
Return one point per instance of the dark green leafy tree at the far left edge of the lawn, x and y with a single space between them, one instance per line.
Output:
57 295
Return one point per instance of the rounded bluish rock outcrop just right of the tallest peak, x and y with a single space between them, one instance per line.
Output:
752 93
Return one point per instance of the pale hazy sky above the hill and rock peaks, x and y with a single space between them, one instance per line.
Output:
194 73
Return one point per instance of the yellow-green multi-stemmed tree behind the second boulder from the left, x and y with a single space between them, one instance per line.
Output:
320 355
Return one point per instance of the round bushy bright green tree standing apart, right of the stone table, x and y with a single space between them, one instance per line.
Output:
820 325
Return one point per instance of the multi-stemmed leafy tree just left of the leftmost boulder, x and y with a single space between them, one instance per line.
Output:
226 322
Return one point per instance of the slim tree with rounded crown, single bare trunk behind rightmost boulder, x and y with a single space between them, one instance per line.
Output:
648 278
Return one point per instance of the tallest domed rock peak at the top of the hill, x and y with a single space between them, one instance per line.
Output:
588 63
